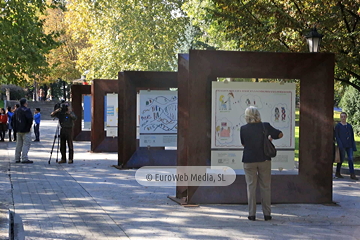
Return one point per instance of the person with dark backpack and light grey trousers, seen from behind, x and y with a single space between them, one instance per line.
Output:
21 123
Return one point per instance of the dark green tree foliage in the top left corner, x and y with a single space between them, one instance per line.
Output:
23 44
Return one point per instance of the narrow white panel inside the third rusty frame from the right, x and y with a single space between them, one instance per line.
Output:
111 114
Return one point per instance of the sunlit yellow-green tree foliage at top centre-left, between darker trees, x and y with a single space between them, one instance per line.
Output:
126 35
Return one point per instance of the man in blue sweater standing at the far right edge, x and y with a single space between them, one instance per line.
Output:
345 140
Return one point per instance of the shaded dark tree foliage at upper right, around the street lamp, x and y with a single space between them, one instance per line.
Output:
280 25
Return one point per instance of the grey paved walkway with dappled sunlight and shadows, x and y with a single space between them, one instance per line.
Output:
92 200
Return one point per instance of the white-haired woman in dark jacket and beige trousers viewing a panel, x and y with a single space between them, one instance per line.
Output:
257 165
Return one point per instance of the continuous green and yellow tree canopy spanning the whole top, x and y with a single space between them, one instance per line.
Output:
108 36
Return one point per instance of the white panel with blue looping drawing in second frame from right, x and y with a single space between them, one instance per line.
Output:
158 118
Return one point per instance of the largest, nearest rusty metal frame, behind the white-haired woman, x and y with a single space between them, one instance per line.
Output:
313 184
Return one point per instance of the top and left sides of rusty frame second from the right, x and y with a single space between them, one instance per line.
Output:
129 83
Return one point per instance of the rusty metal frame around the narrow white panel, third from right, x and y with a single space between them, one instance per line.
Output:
99 141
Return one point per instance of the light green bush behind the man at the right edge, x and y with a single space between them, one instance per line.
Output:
351 105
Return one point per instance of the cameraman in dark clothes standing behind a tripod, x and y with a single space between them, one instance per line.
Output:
66 118
